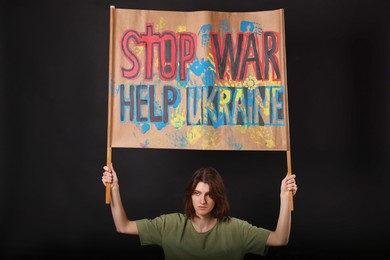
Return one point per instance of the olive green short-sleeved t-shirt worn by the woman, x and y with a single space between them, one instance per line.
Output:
230 239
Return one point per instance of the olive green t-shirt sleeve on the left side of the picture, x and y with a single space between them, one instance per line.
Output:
150 230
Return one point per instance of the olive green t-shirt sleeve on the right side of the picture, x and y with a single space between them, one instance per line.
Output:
254 238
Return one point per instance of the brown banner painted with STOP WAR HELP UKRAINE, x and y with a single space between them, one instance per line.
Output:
198 80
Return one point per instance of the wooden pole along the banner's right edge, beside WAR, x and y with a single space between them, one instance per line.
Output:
288 152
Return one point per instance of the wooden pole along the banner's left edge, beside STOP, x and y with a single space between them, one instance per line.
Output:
110 80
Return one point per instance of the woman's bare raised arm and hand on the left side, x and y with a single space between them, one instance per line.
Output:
122 223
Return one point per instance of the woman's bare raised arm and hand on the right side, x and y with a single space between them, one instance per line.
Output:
281 235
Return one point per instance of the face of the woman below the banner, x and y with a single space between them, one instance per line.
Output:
201 200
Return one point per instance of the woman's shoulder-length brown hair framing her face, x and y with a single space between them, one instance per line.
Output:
217 192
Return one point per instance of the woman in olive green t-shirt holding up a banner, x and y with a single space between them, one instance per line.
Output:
205 230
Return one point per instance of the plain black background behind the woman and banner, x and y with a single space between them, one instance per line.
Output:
53 111
